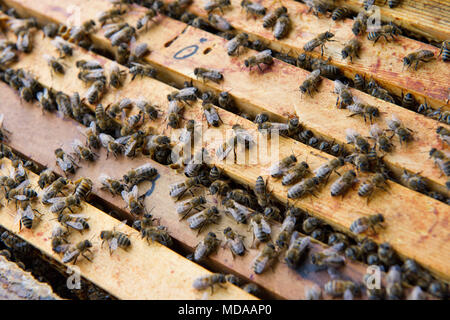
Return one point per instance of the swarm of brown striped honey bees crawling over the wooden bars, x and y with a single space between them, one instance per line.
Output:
241 205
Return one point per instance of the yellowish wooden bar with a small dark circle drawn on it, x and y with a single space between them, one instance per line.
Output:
255 92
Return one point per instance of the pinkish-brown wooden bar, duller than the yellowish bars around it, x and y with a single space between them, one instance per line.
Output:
50 132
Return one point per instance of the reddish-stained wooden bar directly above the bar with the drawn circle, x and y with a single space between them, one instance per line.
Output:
382 61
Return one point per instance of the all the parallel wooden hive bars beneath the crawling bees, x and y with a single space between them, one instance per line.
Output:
416 224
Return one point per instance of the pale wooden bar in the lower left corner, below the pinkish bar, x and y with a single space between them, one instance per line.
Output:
161 273
